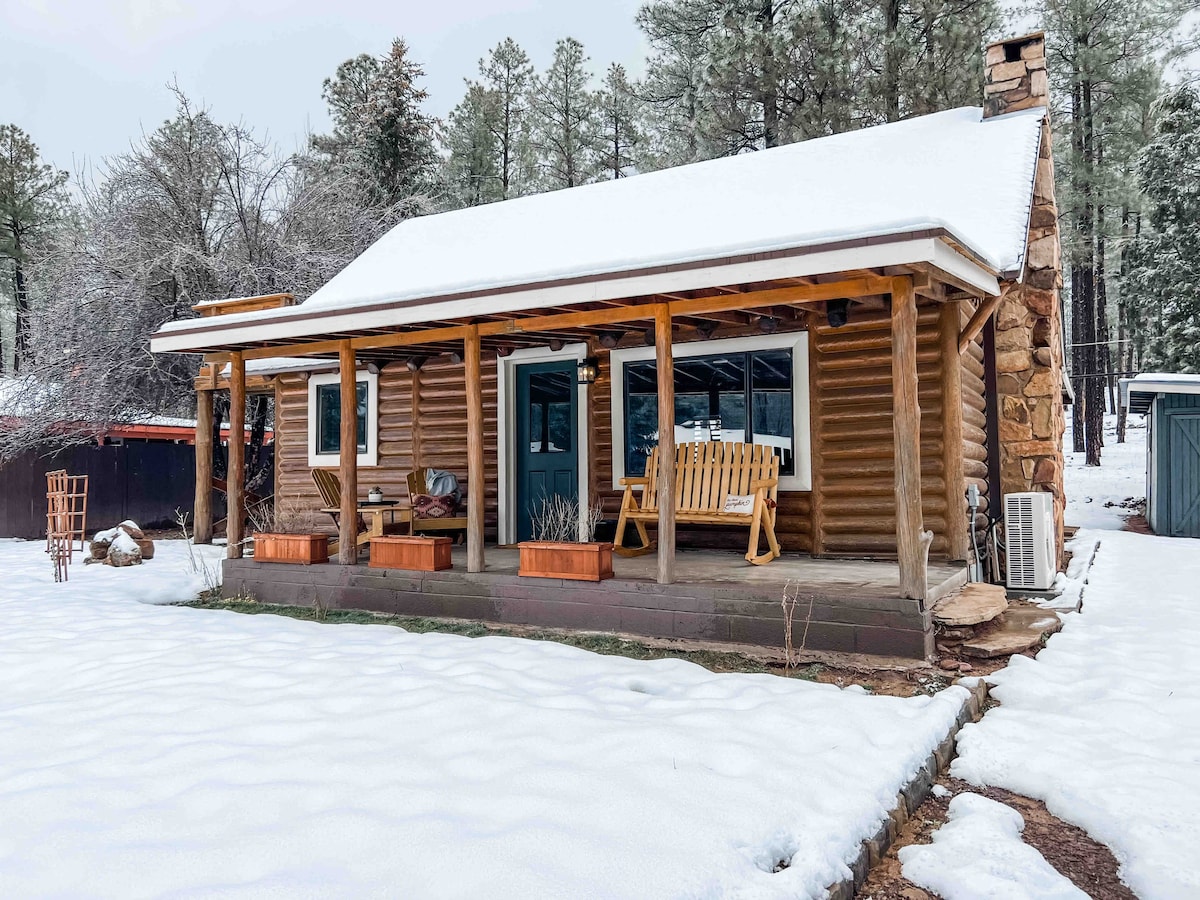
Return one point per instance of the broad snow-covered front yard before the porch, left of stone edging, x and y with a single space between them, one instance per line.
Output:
161 752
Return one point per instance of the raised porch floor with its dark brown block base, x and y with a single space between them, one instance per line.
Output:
718 598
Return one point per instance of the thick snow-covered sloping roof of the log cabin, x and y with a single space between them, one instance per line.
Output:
952 173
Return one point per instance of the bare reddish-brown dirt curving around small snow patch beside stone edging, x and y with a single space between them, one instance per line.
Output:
1069 849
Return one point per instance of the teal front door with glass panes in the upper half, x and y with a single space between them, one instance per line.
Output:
548 442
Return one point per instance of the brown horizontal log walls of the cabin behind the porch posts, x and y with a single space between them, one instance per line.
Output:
851 511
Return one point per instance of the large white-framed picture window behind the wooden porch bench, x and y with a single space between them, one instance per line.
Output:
745 391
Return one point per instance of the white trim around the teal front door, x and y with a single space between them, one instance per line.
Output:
506 416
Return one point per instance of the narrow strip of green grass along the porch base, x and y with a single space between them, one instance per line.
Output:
604 645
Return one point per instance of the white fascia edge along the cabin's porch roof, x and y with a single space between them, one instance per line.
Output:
934 248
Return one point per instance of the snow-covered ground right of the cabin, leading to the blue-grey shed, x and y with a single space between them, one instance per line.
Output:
1103 725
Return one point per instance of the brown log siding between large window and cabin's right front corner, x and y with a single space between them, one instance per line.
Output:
853 445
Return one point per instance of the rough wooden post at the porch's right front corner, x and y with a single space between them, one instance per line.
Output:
913 539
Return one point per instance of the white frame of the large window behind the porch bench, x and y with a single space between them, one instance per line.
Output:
796 341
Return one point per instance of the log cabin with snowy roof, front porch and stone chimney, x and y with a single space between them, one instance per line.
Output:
880 309
